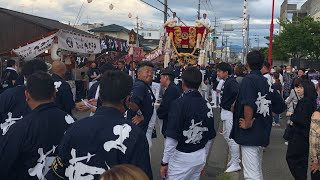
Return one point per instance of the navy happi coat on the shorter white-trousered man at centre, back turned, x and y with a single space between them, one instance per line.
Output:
191 122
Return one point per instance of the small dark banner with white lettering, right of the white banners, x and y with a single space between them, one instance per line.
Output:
114 44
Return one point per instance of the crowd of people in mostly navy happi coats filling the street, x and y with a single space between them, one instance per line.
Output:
41 139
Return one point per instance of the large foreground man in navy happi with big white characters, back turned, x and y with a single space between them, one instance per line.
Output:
97 143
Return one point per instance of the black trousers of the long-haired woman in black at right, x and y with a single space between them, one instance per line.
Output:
297 156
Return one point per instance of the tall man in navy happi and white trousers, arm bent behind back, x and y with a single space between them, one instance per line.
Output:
252 120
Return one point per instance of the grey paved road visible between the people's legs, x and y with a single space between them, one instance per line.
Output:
274 163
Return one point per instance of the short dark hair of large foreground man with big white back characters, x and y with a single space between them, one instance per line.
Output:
115 86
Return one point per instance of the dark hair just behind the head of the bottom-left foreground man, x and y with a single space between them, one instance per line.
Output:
33 66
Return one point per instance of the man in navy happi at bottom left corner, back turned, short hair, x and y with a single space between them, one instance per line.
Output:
28 146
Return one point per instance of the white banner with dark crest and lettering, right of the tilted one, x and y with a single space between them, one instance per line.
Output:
75 42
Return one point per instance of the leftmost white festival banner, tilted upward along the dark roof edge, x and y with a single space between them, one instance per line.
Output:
32 50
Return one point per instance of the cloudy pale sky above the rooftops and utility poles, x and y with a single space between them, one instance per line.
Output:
98 11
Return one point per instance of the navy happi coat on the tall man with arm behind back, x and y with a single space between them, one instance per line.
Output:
263 99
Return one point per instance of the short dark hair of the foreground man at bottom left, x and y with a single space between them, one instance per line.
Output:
40 86
